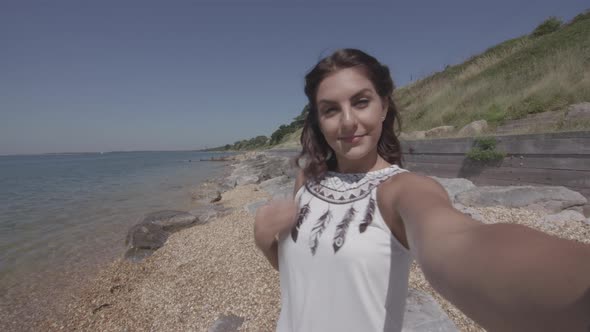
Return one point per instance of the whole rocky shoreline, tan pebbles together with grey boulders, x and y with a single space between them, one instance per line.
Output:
207 275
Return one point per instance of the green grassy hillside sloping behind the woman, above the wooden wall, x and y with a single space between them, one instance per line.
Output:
546 70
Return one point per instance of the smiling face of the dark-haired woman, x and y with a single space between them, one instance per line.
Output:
350 113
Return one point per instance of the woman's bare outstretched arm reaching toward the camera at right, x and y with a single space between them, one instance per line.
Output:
506 277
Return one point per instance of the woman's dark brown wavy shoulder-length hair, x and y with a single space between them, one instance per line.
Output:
316 152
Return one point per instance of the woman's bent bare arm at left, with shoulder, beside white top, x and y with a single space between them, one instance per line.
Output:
266 232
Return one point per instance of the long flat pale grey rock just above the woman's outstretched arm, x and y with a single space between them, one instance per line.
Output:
546 198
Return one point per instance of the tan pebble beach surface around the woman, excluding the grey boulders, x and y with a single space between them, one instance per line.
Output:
214 270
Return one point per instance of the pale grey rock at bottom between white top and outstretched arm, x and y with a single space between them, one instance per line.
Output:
423 314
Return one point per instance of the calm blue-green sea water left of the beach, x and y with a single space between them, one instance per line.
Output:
60 213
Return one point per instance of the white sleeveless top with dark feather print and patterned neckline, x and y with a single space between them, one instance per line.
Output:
341 268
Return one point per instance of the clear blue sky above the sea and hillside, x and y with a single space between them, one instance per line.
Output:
168 75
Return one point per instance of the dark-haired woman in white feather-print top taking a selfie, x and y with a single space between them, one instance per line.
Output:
344 247
